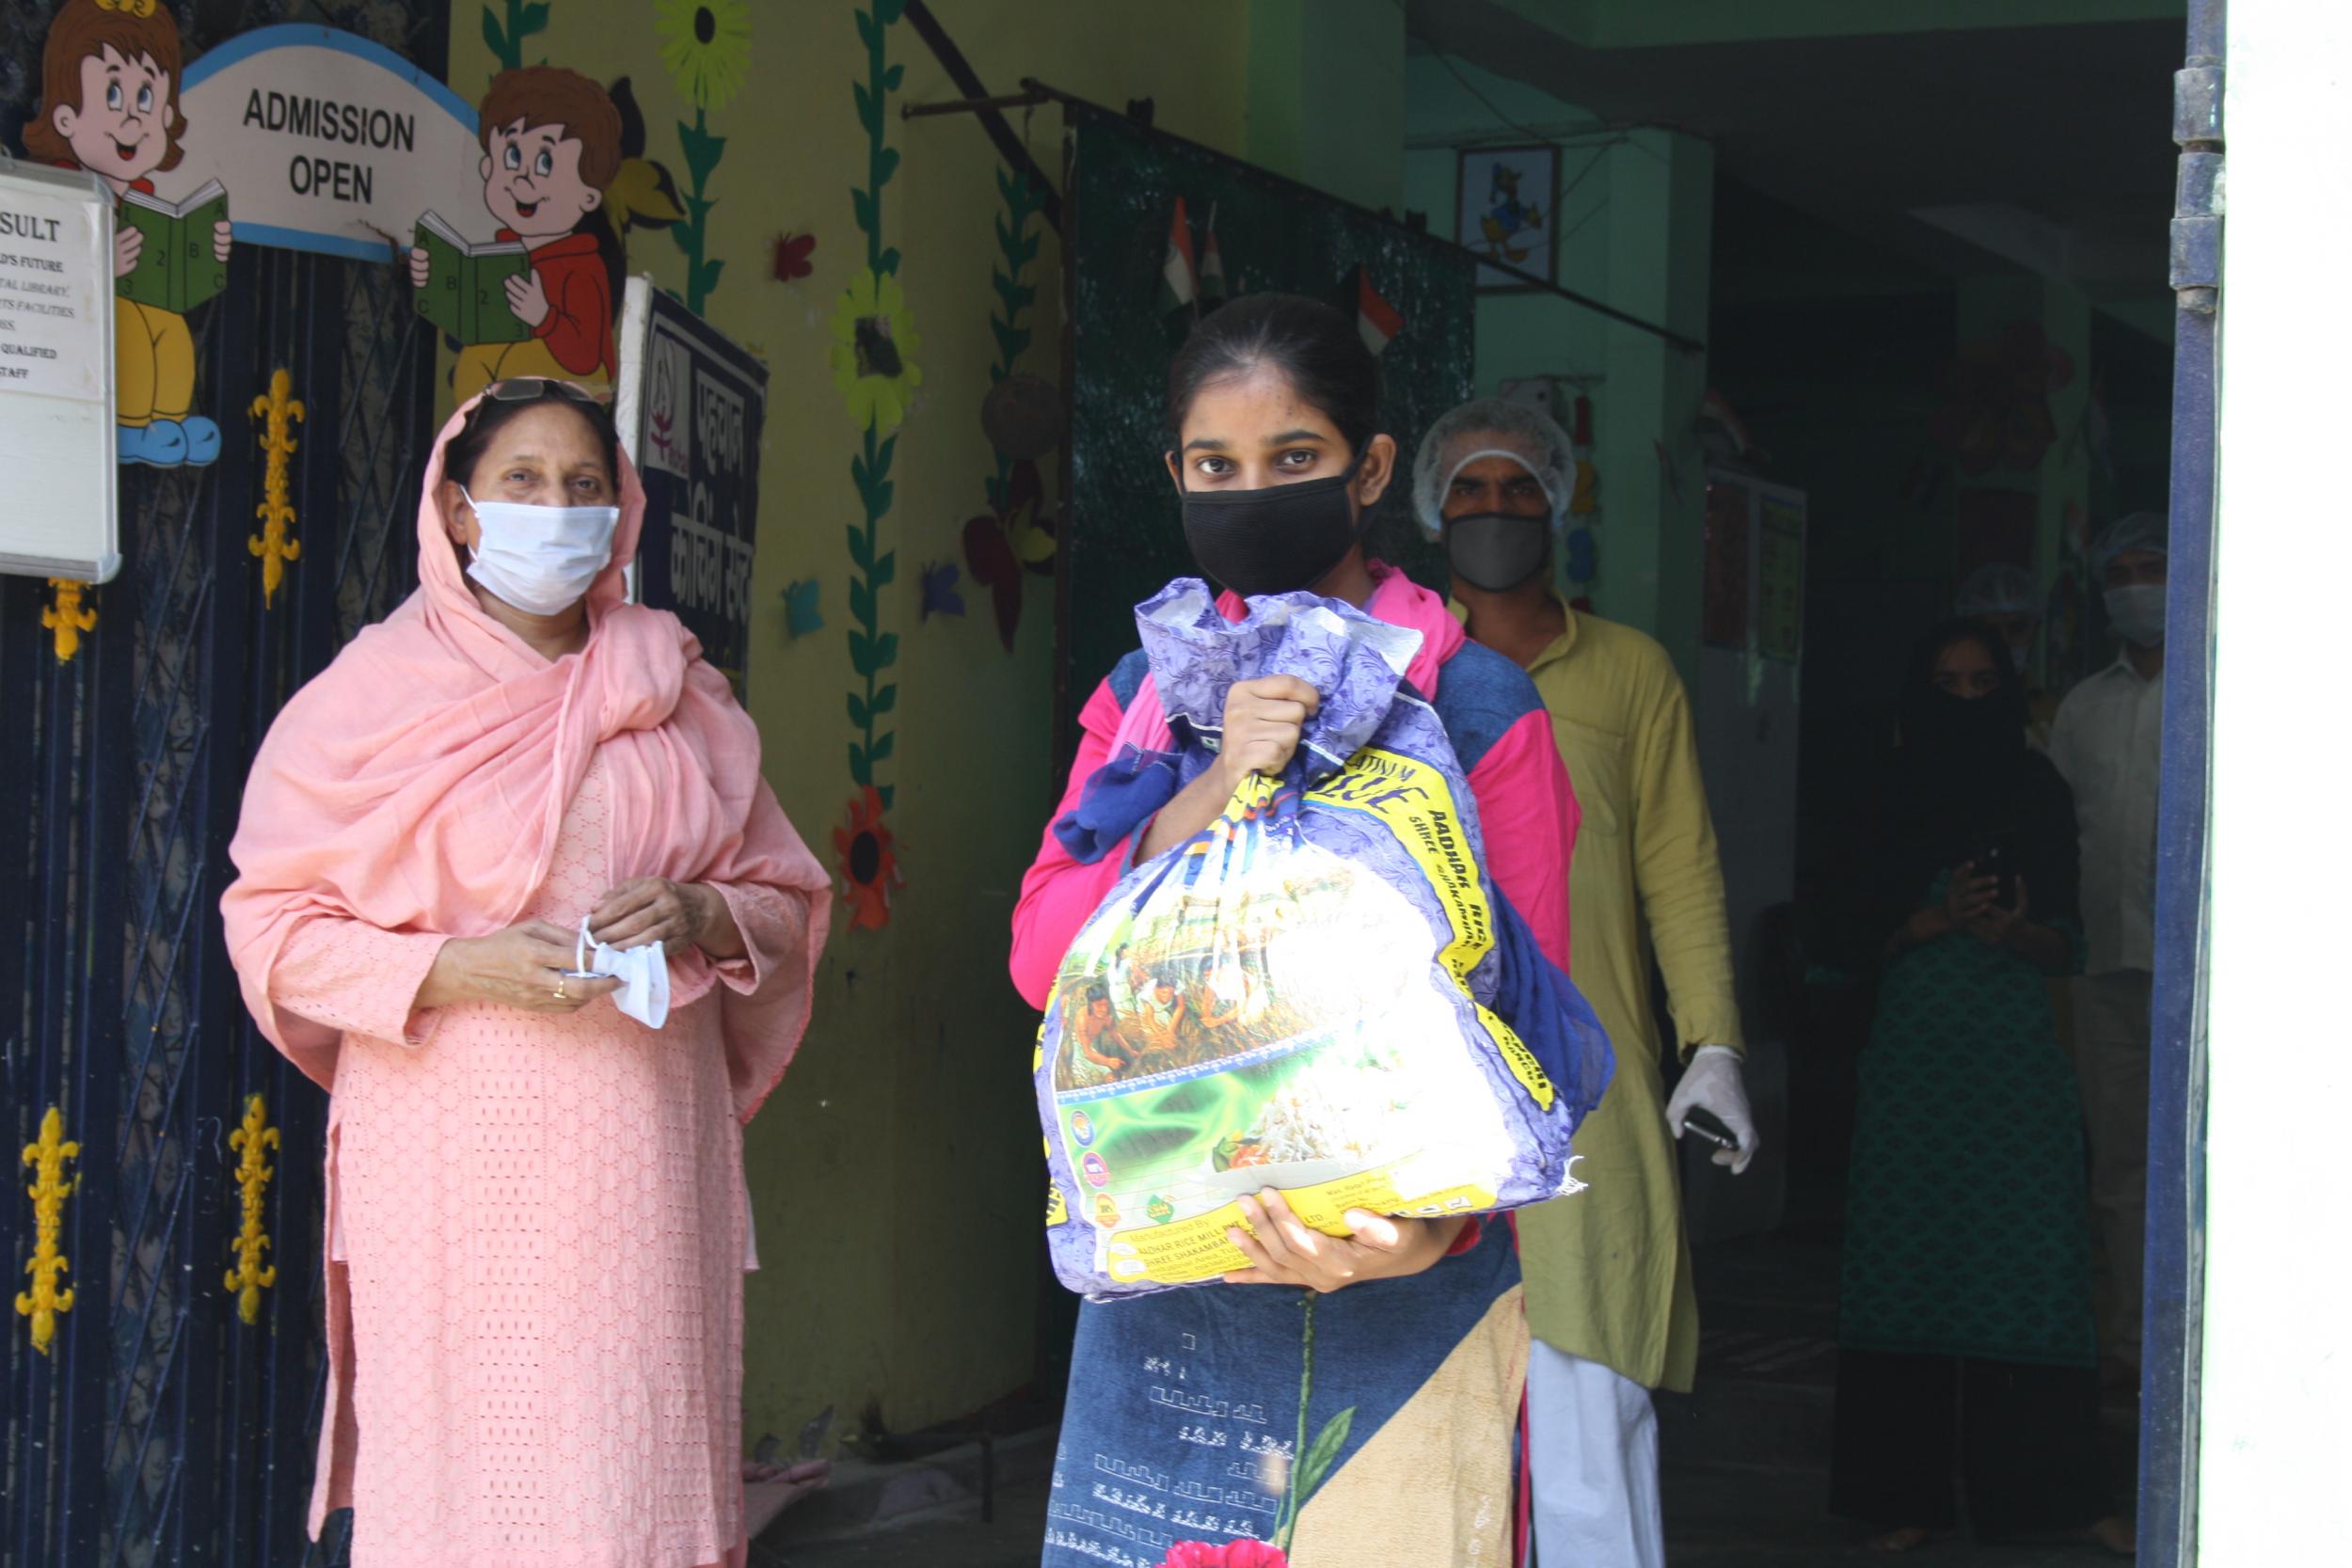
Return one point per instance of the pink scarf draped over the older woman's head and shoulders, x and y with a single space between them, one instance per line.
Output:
422 779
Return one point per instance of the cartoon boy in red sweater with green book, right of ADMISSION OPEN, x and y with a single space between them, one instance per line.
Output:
535 302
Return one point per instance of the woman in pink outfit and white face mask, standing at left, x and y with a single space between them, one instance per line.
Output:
537 1224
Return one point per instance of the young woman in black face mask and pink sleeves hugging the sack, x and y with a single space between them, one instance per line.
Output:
1344 1400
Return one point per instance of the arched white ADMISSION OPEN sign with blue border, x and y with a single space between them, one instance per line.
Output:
328 142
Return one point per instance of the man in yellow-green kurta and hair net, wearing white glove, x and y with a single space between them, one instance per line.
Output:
1610 1292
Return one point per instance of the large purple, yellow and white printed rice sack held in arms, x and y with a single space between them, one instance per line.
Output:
1321 993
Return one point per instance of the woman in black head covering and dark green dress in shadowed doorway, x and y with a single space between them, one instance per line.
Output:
1967 1351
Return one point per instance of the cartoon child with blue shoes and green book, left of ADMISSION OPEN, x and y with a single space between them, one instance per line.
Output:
109 86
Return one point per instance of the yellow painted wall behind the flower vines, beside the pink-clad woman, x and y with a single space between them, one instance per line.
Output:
895 1177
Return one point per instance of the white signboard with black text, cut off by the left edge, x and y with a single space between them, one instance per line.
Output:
58 375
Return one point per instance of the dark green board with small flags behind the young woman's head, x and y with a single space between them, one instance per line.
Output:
1123 532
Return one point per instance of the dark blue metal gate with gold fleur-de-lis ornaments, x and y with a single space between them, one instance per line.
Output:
171 1412
